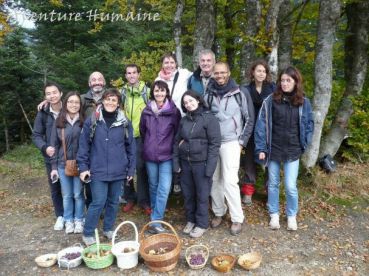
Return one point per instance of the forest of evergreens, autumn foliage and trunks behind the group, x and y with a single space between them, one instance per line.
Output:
327 40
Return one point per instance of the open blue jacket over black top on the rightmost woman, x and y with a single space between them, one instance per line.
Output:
263 128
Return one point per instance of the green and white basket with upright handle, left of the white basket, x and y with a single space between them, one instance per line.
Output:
100 261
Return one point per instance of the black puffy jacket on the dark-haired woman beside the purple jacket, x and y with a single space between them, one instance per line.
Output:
198 140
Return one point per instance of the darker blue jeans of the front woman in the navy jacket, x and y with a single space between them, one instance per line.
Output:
104 194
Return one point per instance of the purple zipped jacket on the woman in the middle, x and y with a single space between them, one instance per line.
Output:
158 132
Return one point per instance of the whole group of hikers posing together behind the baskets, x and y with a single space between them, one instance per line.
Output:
191 125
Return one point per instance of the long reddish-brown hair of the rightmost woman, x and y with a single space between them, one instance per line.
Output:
298 98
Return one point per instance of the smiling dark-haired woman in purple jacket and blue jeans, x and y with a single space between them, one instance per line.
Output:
158 126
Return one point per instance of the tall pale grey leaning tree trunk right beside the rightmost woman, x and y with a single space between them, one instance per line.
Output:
329 12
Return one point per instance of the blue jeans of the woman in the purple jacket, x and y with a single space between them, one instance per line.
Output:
160 179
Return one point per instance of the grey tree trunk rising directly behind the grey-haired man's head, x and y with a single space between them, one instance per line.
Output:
205 27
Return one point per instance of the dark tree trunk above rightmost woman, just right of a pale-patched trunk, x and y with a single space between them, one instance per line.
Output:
285 34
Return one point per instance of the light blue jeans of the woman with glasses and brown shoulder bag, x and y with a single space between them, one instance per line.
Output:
73 197
